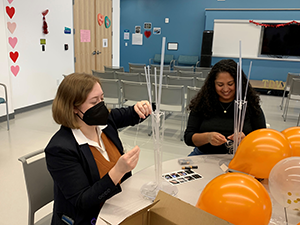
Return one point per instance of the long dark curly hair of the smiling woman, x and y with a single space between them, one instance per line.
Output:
207 99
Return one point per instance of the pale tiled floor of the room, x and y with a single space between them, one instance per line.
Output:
32 130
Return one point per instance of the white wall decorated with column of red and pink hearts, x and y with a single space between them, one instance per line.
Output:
41 72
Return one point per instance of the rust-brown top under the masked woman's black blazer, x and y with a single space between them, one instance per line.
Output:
103 165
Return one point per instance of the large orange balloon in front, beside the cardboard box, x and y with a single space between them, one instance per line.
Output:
237 198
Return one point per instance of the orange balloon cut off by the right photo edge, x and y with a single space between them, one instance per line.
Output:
293 136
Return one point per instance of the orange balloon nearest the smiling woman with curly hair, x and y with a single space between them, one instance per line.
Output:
259 151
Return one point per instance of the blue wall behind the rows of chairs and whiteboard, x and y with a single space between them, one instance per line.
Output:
188 20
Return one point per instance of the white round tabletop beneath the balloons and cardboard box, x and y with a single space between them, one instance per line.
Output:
130 199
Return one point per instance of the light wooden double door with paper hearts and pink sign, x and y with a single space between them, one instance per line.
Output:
92 38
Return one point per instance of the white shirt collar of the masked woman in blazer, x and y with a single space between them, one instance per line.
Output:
82 139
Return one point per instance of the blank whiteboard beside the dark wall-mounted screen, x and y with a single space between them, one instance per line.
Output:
228 33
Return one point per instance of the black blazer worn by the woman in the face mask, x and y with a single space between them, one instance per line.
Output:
79 193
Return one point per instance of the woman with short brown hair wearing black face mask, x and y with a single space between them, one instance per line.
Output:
85 157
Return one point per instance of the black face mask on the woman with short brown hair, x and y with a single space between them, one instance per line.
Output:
96 115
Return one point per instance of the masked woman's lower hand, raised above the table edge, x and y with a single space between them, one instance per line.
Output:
126 163
